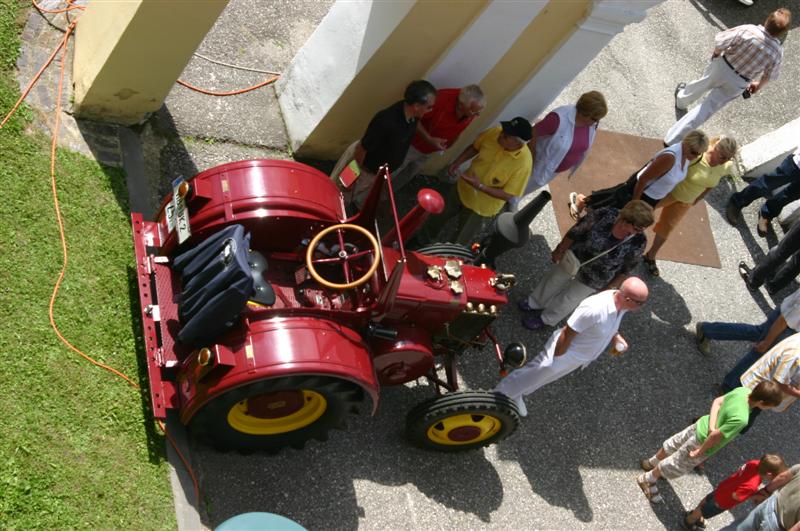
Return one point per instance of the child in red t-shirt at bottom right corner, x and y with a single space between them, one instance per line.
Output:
735 489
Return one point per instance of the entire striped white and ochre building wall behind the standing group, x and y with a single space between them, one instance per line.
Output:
365 52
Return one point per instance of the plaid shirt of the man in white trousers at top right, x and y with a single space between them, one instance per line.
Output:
751 51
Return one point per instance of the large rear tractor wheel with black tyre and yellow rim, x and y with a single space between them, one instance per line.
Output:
271 414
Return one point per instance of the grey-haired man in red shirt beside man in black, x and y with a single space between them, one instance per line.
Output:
438 130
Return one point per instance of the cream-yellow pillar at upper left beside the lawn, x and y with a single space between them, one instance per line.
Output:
129 54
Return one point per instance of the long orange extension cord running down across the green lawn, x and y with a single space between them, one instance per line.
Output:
64 249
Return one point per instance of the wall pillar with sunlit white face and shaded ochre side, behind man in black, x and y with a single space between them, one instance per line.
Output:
359 61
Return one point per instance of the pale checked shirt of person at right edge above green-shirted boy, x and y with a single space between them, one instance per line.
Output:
781 364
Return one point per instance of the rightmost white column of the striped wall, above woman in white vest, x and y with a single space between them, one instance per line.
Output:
607 18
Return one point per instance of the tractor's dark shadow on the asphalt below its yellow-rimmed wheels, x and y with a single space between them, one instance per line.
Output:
320 486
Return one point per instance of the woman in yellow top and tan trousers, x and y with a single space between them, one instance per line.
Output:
701 177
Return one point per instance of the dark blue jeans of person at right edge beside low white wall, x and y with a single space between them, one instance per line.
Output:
786 174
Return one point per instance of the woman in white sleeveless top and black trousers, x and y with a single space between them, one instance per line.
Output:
652 182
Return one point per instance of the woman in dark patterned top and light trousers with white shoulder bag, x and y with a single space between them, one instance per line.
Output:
596 254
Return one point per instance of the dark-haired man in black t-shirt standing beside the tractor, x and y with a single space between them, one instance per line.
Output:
389 135
